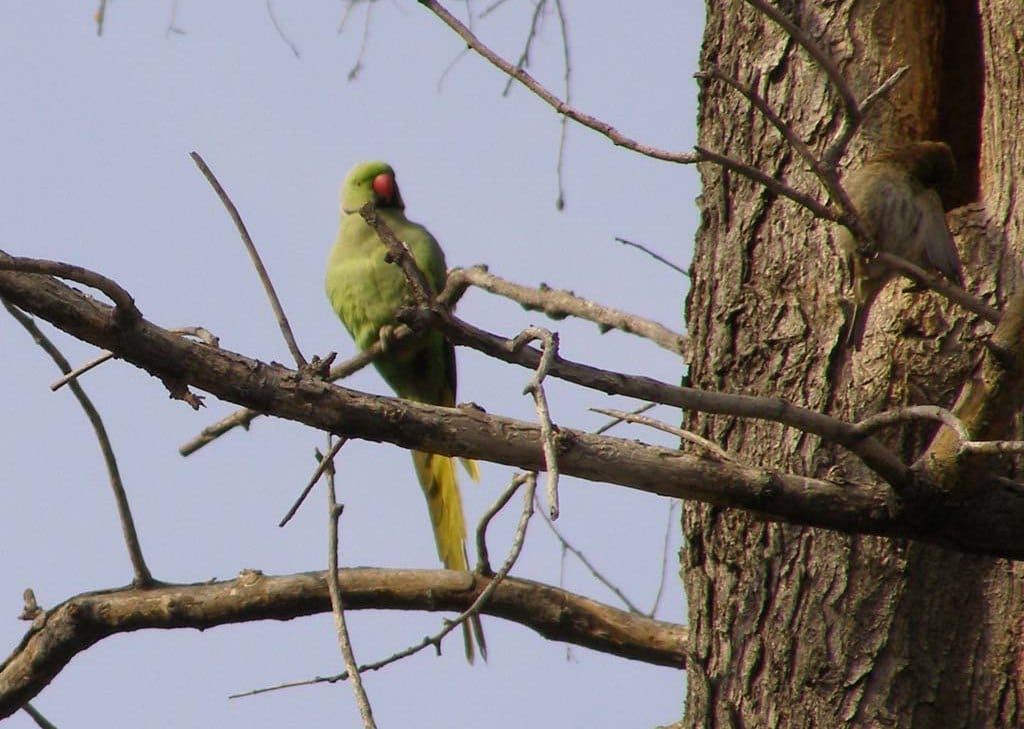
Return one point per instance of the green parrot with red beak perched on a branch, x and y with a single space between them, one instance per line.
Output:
366 292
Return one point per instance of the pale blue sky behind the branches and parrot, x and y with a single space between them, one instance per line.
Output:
96 135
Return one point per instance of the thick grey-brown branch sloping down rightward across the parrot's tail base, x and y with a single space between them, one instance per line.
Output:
990 525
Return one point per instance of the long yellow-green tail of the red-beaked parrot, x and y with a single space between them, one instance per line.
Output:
437 475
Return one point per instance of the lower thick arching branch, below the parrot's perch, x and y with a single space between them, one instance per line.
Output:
80 623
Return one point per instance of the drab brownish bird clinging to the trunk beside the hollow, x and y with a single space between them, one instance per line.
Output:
897 200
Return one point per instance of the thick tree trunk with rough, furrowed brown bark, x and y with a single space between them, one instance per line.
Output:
796 627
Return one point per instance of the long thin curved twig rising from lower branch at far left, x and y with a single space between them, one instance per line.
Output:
143 576
